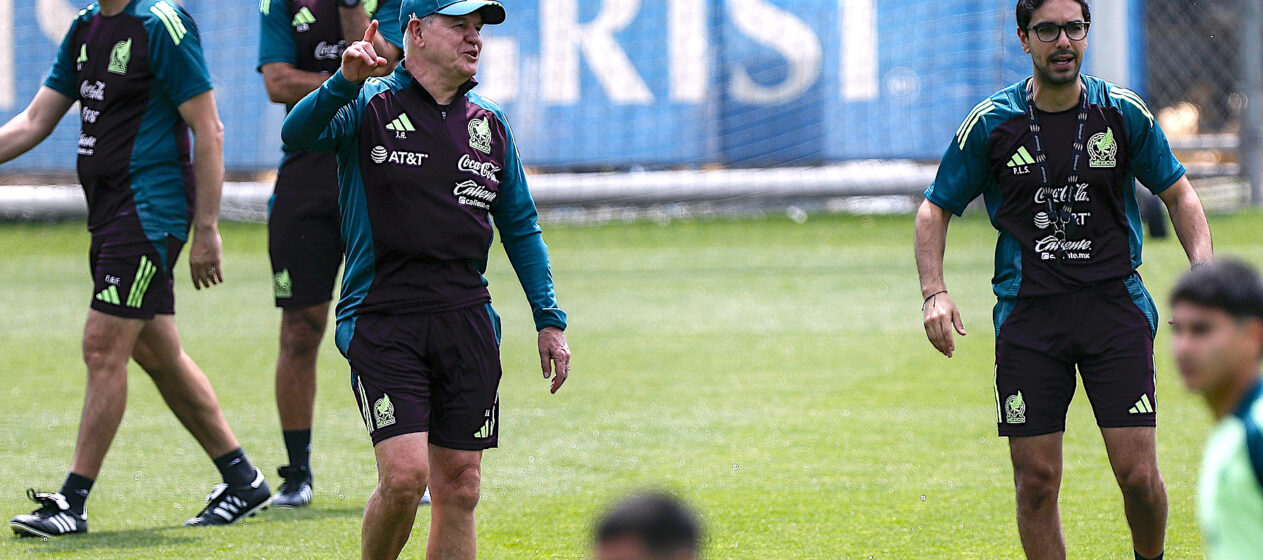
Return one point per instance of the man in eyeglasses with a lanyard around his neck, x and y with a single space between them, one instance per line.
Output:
1055 159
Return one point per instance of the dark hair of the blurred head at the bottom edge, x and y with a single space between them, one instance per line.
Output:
664 523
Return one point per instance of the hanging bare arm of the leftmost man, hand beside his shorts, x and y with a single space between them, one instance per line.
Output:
205 255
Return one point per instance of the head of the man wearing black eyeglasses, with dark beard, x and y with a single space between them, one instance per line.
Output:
1055 35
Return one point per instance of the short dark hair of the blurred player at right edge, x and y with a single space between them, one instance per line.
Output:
1227 285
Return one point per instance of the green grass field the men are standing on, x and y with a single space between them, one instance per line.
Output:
774 374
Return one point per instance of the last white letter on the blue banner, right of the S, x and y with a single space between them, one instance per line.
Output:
859 50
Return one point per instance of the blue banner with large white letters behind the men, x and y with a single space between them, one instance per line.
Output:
593 84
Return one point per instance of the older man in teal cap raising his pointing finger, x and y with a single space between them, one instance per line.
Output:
426 169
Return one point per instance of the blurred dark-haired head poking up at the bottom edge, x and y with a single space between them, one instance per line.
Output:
649 527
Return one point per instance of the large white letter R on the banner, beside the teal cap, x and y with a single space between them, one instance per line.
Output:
563 39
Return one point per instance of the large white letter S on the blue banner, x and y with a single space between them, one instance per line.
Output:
786 35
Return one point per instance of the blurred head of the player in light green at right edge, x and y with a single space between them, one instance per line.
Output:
1217 318
